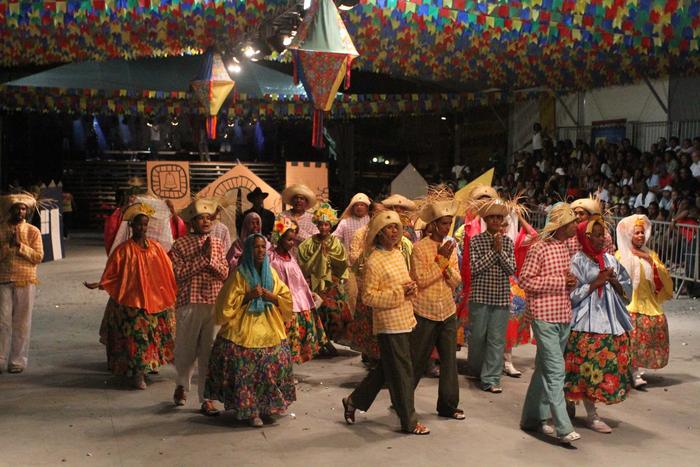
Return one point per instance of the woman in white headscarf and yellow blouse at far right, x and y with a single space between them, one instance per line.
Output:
652 286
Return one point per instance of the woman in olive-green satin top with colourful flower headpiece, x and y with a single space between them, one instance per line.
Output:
324 261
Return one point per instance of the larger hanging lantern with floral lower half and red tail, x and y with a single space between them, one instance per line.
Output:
322 53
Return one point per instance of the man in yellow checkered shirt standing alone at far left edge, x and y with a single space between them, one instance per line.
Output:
21 251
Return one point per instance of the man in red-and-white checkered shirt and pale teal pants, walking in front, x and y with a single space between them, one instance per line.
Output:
547 281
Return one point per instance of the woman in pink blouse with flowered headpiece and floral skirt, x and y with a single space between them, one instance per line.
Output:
305 331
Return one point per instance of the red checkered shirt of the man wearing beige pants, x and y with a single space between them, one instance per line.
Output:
199 277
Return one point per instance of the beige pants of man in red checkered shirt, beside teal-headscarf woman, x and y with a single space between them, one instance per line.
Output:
196 330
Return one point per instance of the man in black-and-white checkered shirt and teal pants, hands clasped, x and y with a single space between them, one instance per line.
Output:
492 260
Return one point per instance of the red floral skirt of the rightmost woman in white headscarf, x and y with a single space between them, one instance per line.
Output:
649 341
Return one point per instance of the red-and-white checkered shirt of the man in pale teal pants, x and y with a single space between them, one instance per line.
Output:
543 277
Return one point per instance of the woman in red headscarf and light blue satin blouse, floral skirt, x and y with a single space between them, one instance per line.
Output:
597 357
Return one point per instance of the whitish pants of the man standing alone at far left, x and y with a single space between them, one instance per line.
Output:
16 305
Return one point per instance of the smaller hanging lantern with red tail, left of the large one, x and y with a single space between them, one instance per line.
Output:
211 87
